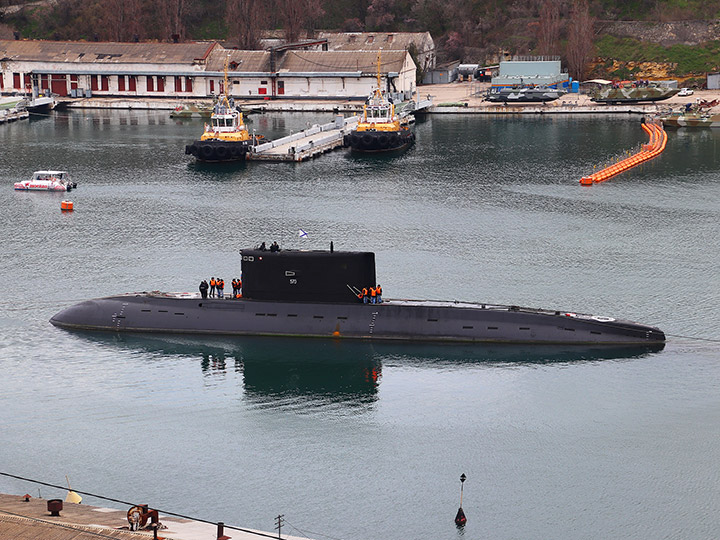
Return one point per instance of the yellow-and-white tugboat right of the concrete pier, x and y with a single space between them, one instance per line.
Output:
380 129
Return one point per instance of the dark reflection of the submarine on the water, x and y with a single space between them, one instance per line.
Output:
347 371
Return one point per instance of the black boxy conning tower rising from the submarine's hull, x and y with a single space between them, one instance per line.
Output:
306 276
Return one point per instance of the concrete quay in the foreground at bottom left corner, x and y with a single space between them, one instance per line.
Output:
32 521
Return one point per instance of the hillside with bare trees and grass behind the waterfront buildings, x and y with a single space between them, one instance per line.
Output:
625 38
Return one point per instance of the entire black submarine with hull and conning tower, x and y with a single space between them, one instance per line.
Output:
314 294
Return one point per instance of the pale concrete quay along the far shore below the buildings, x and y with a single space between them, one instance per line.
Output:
456 97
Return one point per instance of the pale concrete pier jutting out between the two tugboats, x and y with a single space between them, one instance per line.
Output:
305 144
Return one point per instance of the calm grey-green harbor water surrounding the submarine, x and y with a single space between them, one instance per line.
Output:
361 441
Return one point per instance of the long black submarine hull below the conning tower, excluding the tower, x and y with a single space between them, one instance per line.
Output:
410 320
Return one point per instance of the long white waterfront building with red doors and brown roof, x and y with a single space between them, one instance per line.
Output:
196 70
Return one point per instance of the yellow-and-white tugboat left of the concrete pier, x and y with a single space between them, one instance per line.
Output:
226 138
